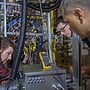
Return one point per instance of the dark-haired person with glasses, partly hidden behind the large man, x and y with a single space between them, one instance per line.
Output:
62 27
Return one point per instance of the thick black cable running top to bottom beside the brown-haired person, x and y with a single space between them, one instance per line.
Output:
20 45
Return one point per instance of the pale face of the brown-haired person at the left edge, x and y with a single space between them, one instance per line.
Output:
7 54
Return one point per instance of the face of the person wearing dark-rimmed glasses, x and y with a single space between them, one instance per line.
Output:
64 29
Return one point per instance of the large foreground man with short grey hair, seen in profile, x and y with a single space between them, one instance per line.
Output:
77 14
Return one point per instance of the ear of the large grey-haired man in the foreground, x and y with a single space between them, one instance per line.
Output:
79 14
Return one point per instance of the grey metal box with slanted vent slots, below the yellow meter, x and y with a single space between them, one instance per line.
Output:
46 80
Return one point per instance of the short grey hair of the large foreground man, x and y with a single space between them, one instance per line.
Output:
69 4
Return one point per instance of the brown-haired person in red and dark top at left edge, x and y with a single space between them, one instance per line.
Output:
6 51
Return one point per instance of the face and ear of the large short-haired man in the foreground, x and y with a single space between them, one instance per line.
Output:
79 21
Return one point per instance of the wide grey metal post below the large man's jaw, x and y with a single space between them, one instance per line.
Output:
76 52
